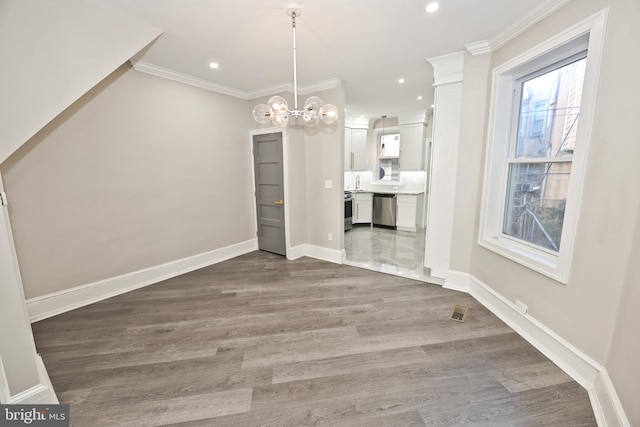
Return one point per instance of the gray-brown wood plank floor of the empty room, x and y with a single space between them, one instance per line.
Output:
263 341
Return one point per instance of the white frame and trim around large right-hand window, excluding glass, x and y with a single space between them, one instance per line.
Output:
587 34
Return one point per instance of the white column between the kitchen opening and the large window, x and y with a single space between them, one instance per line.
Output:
444 160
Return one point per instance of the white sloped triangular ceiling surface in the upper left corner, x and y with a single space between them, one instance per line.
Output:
52 53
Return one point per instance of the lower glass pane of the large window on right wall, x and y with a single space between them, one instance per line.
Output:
536 198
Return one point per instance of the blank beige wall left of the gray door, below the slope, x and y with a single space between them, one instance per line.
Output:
139 172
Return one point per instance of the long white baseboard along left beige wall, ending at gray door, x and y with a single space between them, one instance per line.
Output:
69 299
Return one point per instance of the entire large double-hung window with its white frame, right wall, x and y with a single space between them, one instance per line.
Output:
542 114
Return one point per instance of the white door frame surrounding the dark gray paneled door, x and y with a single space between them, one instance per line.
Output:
285 177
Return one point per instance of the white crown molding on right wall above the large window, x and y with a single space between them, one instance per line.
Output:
542 10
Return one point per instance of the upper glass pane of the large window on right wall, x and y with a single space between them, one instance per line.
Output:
549 111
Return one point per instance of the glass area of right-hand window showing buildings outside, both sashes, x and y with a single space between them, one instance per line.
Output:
541 155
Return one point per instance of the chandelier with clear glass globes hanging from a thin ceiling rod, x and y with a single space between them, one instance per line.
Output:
276 108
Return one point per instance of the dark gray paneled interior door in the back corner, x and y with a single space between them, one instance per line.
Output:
267 156
